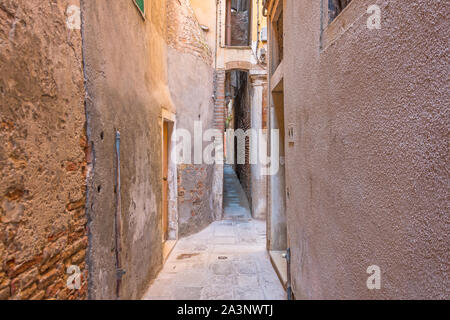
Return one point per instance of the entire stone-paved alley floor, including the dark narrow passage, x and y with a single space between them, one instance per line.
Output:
227 260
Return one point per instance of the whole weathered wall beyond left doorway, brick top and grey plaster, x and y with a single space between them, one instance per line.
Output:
190 78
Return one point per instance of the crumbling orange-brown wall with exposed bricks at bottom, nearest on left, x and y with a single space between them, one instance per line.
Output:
42 151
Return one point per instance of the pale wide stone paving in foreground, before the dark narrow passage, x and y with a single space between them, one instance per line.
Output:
217 270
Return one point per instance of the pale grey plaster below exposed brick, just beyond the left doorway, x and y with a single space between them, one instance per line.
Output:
193 104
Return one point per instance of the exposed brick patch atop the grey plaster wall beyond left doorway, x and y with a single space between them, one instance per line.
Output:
184 32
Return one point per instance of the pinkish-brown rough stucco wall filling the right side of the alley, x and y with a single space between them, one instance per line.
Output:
368 173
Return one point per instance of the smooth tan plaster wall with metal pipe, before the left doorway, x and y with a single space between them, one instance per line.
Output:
125 66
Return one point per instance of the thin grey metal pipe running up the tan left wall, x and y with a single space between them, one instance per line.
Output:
117 221
